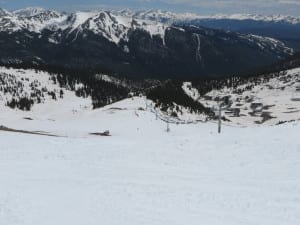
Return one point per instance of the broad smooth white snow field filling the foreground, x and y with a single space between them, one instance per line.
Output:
144 175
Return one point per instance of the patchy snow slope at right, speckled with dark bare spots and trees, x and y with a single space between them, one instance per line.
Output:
261 101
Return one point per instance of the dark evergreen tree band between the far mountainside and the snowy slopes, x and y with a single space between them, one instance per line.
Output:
85 83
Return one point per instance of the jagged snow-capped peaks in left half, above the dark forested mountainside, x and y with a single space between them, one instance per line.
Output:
112 25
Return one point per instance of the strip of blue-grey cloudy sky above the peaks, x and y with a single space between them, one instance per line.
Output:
286 7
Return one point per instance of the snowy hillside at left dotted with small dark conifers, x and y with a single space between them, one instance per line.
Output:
40 90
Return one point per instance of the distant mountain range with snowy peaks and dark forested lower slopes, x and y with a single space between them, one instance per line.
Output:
149 43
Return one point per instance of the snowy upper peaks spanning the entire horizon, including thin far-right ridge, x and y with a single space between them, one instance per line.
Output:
113 25
